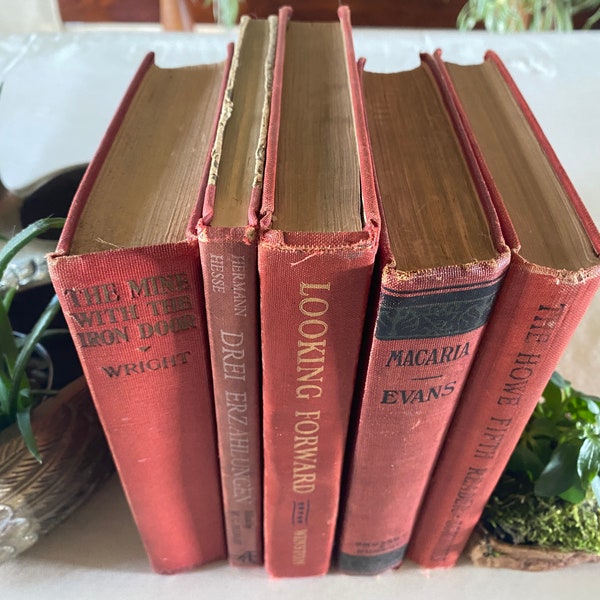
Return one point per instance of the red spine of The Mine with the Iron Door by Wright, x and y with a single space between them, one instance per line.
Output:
138 324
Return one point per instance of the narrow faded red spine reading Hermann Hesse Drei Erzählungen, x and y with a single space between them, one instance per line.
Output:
230 271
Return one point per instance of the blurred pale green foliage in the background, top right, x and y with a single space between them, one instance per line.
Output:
519 15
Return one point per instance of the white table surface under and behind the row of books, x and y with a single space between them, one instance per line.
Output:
59 93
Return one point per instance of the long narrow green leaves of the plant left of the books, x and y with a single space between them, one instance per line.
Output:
17 395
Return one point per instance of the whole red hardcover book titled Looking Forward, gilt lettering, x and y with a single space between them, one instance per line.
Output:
318 239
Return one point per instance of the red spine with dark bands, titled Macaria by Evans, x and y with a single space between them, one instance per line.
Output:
424 341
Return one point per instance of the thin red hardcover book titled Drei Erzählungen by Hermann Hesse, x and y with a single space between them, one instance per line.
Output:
228 236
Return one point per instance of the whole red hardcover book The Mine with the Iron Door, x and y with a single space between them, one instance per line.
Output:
127 274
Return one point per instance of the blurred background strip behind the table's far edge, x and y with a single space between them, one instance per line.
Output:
184 15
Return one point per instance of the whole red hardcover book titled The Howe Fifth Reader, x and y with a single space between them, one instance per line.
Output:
553 276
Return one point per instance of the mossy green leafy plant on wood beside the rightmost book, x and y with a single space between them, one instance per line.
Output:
545 510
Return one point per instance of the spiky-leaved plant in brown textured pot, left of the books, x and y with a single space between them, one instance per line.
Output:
38 425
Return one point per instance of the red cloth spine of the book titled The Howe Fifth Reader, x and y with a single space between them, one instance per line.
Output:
533 320
